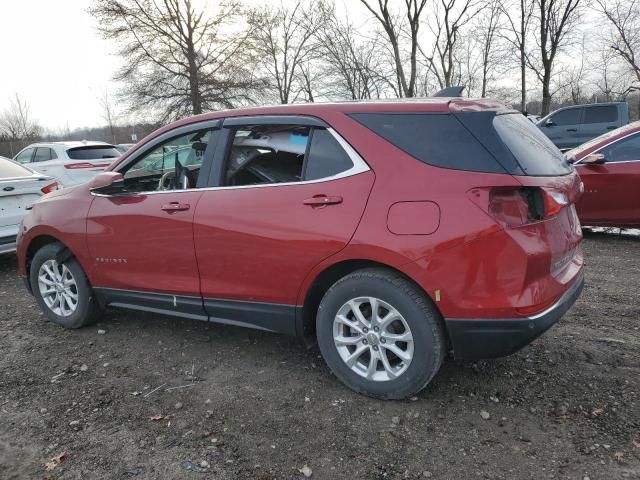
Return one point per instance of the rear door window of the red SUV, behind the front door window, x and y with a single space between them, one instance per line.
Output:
272 154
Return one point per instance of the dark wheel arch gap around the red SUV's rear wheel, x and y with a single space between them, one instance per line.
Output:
330 275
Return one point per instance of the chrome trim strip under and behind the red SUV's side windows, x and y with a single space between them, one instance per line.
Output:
359 166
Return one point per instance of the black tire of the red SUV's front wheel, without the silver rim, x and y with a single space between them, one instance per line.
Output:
87 310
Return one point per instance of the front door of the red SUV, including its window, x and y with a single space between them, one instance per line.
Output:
141 238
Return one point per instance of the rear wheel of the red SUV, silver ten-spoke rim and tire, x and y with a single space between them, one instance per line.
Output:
380 334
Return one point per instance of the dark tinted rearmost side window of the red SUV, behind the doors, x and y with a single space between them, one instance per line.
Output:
436 139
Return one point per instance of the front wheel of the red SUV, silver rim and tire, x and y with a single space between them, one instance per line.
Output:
61 288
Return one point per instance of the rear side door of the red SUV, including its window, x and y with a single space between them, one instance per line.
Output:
289 192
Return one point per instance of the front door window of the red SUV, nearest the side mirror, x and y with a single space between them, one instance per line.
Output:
173 165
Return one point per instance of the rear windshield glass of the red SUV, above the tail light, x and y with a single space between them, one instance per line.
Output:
533 151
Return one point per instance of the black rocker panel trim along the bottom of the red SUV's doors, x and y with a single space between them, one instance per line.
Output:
270 317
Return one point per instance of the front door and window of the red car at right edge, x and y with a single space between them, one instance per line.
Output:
612 190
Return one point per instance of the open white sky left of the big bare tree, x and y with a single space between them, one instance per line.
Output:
53 57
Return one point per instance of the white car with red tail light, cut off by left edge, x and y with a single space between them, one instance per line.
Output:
19 188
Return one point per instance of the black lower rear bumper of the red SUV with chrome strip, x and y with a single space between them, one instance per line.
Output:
473 339
